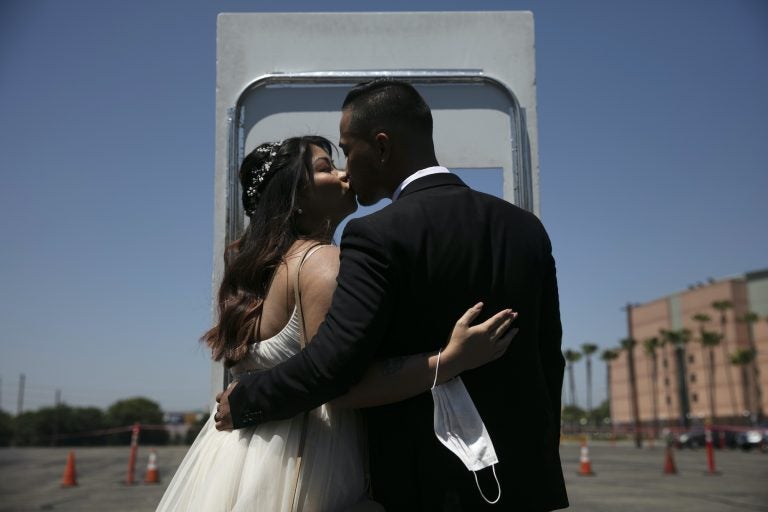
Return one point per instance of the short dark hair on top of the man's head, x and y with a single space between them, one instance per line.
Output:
386 104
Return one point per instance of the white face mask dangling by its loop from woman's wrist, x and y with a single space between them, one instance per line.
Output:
460 428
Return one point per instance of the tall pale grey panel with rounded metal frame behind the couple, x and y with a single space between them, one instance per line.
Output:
285 74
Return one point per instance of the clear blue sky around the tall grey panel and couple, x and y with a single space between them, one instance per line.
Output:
652 143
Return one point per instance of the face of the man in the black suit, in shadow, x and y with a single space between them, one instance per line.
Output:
363 163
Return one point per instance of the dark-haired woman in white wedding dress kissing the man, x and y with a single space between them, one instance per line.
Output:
277 287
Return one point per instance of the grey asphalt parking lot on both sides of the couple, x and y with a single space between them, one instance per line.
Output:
627 479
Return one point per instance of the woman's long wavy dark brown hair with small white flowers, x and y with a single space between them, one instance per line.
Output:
251 261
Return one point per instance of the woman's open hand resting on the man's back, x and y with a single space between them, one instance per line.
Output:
476 345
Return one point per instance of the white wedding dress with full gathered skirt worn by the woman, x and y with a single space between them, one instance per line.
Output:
254 469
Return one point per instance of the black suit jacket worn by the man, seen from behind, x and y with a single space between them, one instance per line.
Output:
408 272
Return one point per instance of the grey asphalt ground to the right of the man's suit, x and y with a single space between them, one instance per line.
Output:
629 479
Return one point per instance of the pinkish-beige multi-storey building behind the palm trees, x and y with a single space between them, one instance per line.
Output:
682 389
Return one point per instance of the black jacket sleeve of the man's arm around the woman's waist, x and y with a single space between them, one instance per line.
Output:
343 347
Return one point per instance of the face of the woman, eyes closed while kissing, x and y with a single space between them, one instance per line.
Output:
330 197
